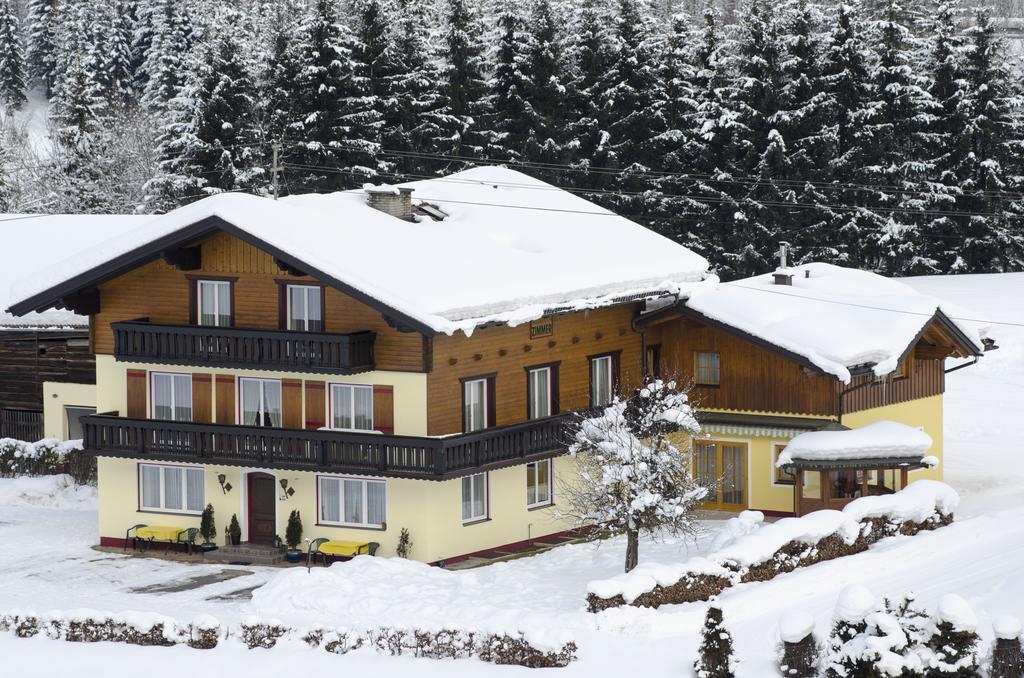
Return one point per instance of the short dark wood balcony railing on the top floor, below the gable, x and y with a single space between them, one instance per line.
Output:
244 348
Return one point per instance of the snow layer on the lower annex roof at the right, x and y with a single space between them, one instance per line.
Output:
836 318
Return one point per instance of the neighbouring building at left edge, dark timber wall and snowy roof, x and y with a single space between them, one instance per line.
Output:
46 361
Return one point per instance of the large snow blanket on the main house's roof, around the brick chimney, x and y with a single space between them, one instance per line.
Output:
511 248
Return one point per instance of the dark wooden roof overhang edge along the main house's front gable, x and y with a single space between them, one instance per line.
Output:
90 280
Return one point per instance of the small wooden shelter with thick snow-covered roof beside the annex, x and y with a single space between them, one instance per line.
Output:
834 468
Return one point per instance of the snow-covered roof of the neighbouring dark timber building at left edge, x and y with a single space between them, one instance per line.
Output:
35 243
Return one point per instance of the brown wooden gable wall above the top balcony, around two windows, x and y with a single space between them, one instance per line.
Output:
161 293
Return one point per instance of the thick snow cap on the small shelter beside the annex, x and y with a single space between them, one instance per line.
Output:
881 440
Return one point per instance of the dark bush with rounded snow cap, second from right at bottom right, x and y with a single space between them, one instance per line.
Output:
954 642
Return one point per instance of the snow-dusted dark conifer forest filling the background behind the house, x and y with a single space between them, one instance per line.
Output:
883 135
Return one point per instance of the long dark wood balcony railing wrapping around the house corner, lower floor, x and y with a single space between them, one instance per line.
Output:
340 452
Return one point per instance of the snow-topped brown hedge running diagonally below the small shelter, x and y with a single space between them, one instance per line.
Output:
781 547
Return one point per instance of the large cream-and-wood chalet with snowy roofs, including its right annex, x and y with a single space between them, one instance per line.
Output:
408 358
